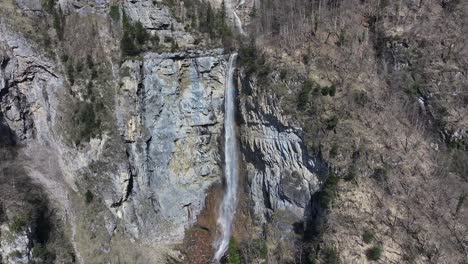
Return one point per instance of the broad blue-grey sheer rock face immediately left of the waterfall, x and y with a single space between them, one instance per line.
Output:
172 114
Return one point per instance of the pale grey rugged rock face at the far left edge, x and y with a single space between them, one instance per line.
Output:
25 81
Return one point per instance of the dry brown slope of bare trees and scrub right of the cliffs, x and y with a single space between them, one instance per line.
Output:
404 173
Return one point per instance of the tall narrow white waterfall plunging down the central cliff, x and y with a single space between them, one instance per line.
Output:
229 203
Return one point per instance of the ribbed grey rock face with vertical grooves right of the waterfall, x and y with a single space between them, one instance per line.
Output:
281 175
